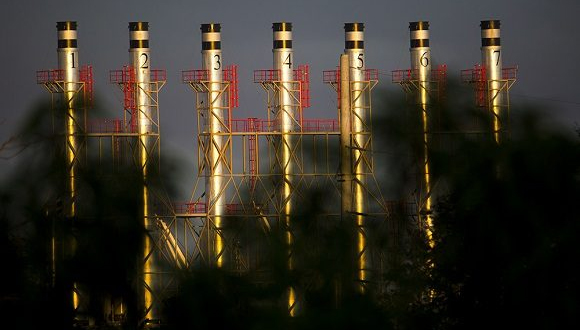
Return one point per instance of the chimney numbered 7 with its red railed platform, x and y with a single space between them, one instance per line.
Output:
491 81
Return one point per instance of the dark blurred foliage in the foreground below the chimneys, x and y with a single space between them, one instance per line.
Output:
505 231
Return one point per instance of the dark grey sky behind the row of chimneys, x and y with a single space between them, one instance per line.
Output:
538 35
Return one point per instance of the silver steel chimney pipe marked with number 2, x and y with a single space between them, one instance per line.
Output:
146 144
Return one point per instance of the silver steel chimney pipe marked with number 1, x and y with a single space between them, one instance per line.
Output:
68 64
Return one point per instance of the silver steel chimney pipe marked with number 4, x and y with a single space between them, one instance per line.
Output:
286 120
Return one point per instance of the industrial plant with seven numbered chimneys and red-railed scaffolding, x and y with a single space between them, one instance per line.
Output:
254 171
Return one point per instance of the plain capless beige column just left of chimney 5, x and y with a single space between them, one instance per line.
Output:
345 133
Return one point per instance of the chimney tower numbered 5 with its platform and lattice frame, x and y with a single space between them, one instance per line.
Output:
361 200
